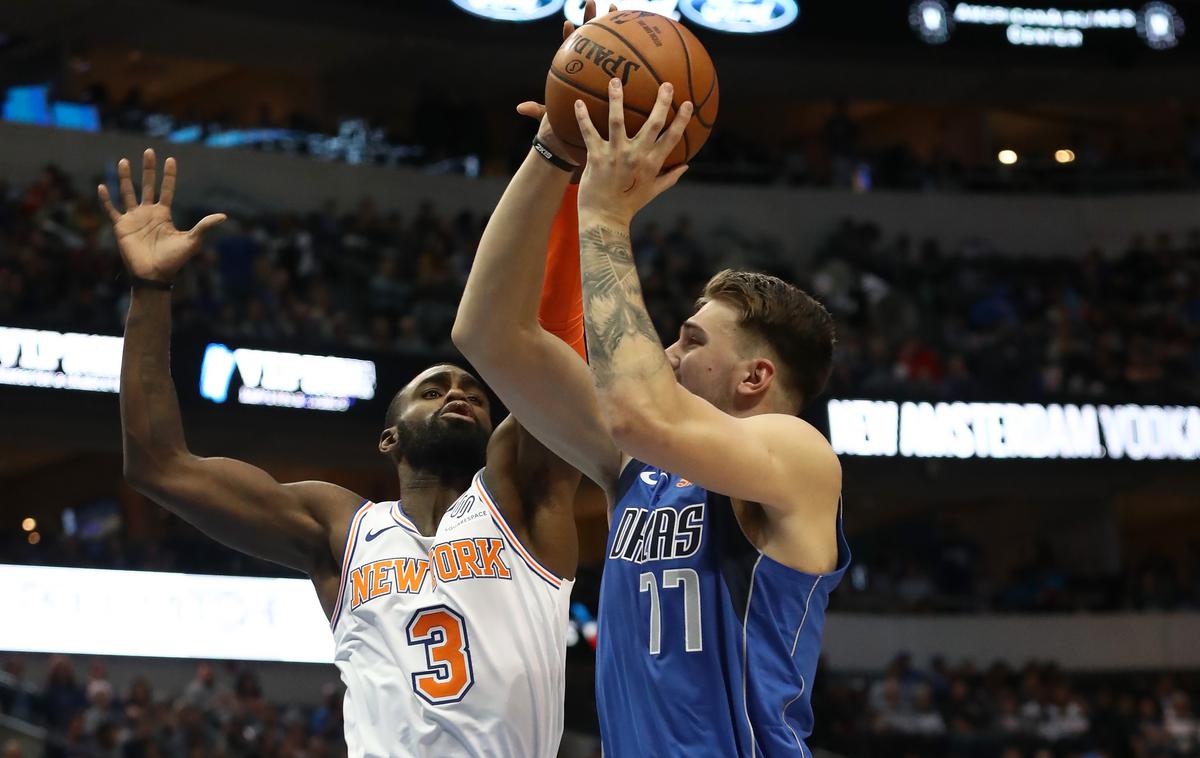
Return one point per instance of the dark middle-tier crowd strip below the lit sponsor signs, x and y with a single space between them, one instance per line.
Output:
919 571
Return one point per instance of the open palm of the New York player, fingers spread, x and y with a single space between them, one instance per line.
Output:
151 244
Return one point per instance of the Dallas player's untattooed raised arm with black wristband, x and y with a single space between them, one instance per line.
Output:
541 380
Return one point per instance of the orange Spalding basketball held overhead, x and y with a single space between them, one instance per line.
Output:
643 50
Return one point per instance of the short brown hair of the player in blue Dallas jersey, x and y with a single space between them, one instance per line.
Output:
796 328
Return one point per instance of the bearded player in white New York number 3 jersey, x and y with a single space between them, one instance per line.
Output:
449 607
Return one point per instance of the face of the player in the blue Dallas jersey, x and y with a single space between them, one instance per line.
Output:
706 359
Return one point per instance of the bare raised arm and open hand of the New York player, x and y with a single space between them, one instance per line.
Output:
232 502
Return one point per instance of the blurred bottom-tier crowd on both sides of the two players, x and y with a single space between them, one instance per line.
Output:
944 711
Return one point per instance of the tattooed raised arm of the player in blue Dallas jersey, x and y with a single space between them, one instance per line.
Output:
650 414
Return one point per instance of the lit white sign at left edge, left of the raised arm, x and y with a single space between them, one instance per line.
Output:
34 358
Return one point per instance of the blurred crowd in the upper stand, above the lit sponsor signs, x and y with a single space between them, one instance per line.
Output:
913 317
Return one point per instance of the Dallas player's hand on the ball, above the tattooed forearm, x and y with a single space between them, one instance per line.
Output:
625 173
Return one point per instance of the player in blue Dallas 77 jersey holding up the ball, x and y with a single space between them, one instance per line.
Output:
725 522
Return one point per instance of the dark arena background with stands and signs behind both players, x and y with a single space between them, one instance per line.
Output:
1003 219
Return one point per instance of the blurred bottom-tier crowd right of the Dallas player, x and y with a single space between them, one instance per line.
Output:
1000 712
